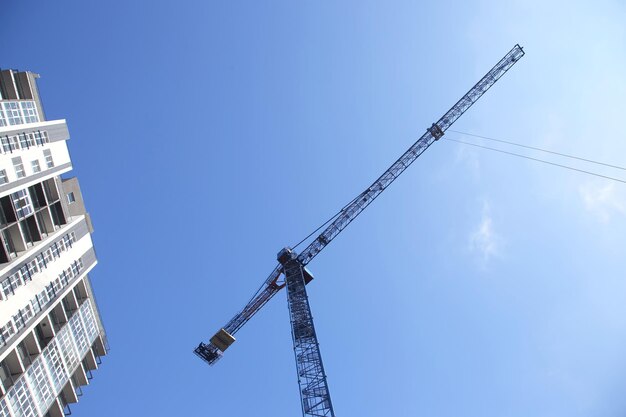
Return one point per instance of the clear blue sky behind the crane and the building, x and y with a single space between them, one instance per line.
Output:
209 135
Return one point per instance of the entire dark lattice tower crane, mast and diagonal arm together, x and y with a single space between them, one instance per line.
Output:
314 393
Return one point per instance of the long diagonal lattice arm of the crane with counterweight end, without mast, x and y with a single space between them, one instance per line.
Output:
211 353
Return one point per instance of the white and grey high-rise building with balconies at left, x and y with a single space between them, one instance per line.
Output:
51 335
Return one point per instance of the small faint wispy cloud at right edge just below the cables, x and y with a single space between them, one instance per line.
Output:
604 201
